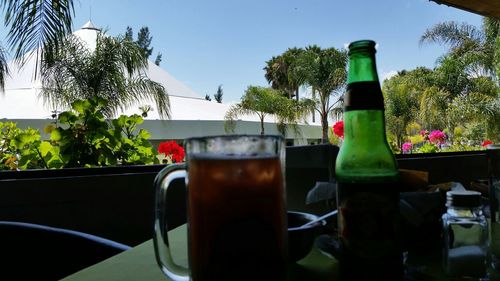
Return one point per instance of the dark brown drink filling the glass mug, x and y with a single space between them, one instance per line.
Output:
237 219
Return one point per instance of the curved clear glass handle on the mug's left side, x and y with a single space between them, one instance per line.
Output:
160 236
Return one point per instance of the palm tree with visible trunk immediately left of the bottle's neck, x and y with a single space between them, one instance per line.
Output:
324 70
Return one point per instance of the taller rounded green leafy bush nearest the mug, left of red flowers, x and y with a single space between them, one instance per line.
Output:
87 139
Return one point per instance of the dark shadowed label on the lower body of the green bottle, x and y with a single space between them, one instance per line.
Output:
369 220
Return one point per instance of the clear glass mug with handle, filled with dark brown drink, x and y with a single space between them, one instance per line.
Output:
236 210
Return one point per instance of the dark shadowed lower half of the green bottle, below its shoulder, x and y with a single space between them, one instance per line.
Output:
369 232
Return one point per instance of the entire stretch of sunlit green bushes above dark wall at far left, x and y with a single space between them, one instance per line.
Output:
82 138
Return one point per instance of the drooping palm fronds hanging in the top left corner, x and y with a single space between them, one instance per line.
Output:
34 25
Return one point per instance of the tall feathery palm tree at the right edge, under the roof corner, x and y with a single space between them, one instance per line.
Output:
468 76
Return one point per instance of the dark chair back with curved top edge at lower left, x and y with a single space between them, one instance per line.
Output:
48 253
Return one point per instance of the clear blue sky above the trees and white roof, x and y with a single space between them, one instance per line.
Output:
208 43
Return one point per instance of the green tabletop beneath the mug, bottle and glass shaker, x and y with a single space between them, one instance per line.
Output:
139 263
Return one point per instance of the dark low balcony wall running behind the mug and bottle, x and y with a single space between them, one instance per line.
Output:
117 202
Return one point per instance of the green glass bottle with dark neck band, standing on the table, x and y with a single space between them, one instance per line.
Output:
367 175
